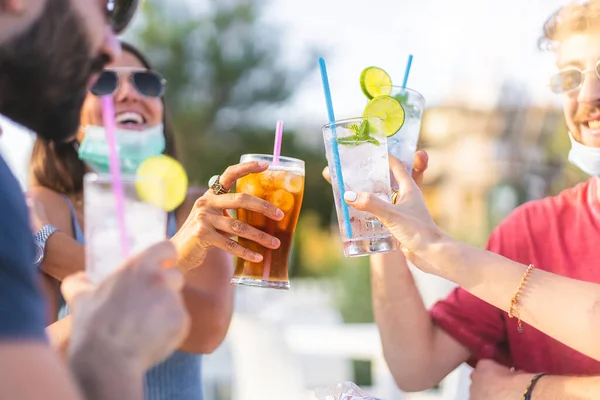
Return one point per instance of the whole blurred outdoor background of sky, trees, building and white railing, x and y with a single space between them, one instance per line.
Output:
494 132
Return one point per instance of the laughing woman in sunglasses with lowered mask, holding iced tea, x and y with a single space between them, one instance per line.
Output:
198 228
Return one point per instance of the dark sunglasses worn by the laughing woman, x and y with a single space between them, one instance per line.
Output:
147 83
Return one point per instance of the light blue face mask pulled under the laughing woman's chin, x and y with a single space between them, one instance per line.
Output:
133 147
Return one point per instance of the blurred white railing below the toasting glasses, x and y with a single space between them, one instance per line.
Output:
283 344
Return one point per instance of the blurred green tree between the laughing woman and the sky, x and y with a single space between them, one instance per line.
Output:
225 80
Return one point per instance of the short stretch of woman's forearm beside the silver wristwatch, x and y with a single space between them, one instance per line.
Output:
63 256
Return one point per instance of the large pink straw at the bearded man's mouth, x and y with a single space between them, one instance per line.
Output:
108 117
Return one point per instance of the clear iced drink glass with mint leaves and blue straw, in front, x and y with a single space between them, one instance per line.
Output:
363 164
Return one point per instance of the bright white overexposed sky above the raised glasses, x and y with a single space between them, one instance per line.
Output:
463 51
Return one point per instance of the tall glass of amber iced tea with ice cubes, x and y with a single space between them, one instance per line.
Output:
283 185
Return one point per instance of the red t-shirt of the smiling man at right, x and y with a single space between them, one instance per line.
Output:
558 234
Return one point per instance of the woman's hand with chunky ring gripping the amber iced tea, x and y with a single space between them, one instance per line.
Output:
209 225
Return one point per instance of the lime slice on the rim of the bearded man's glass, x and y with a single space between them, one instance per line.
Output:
162 181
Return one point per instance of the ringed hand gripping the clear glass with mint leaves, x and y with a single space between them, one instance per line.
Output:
407 217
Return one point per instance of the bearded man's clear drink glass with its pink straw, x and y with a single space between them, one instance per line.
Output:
118 222
